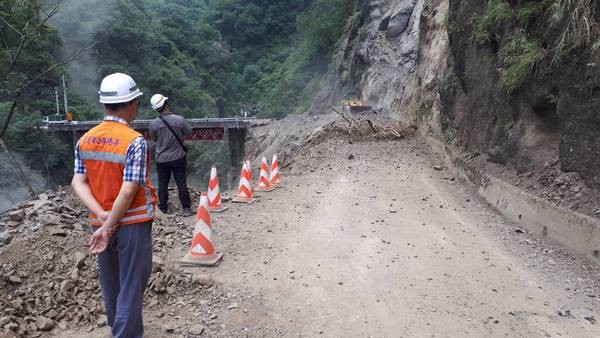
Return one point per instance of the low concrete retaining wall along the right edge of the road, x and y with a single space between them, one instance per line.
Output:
574 231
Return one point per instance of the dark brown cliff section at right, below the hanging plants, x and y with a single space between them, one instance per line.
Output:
554 114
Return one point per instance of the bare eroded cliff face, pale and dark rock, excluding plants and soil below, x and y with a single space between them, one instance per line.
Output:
417 60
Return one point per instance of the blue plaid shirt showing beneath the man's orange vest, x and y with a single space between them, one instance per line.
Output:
136 159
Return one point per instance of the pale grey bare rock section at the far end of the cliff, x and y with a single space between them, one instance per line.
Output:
378 55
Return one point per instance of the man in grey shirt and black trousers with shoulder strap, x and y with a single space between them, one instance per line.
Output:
169 131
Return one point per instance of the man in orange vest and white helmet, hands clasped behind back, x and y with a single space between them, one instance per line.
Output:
112 179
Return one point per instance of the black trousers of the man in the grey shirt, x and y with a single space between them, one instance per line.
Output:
164 170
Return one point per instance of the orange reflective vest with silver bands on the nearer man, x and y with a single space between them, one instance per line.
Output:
103 150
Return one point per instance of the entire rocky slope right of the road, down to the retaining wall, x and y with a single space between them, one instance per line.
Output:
485 77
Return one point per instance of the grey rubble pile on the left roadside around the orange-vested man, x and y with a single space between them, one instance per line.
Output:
48 281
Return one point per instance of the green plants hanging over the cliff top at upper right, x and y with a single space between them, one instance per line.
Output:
532 35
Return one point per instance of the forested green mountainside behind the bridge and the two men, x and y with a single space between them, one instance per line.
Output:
208 56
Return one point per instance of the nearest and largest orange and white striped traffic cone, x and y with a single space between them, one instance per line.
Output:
202 251
